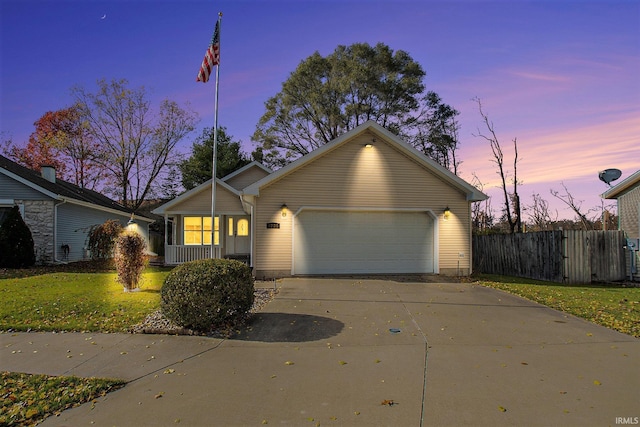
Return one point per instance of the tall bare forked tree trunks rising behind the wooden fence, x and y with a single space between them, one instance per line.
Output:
511 199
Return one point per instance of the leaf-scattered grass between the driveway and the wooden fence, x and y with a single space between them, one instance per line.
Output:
614 307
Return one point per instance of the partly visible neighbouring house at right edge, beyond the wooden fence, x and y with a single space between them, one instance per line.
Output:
627 195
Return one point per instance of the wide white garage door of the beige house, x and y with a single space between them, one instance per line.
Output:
341 242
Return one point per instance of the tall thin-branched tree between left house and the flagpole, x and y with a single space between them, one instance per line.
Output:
135 142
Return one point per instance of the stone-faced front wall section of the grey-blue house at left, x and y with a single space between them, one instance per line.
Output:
38 215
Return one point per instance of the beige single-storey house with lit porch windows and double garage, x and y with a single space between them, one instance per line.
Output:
364 203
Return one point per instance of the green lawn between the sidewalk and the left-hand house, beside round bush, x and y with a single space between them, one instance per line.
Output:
76 300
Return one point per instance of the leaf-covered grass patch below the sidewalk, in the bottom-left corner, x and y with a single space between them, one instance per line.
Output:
26 399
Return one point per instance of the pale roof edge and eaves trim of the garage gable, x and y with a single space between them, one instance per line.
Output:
472 193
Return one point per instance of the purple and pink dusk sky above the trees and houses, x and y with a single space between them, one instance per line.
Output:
563 77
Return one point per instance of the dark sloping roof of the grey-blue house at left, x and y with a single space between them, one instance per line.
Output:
60 189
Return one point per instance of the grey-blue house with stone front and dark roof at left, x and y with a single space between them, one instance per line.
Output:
59 214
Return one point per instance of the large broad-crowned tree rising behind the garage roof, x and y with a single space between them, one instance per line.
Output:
328 96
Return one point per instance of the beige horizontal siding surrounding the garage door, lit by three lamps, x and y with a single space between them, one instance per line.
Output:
352 175
